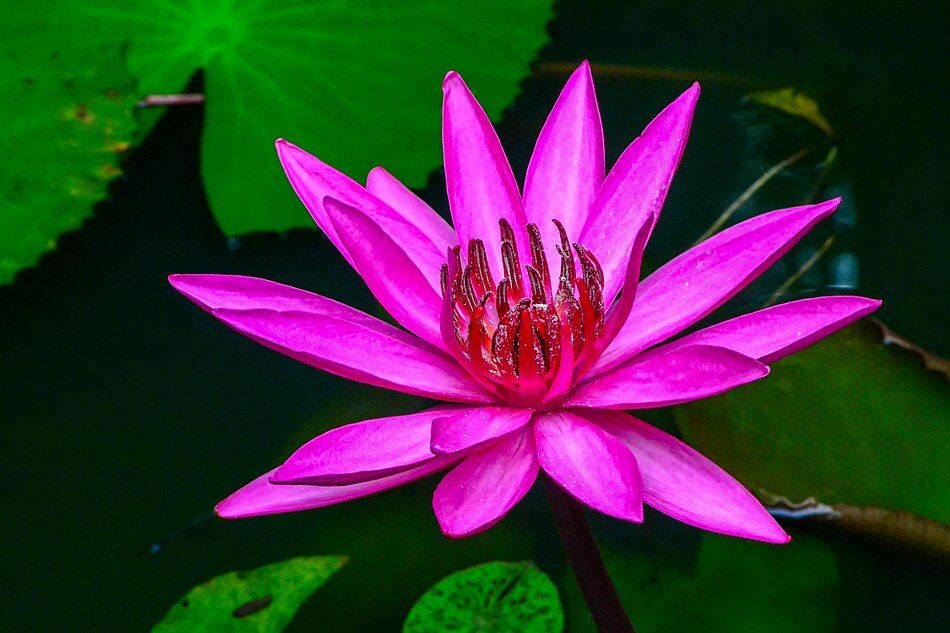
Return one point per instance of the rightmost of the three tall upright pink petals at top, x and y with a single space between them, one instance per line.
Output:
634 191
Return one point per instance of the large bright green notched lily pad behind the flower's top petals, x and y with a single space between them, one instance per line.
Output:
357 82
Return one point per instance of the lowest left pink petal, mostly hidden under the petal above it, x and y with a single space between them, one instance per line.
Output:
260 497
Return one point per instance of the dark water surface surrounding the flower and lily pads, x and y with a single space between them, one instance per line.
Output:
126 413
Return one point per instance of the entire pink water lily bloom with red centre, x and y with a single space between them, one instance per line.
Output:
529 318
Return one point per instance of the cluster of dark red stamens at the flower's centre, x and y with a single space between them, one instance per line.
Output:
523 338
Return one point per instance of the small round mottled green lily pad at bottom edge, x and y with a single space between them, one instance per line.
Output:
497 597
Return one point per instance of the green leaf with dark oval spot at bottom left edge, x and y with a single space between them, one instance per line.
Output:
263 600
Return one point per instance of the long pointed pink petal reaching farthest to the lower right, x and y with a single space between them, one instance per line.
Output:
680 482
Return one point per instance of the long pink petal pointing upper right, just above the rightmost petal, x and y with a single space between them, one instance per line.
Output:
703 278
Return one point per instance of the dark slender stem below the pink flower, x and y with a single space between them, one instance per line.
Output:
589 569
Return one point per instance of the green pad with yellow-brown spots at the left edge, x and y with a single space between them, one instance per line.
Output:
66 118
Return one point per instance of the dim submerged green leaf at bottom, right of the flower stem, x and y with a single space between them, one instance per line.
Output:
734 586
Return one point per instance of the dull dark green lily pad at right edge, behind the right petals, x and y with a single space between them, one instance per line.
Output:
852 419
